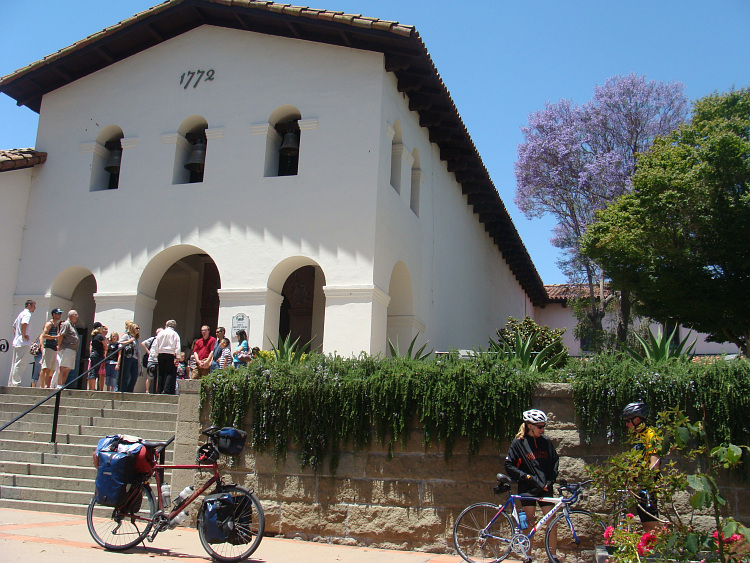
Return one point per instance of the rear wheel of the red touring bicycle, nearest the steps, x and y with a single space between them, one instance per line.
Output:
118 529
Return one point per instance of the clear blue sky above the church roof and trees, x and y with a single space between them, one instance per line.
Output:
500 59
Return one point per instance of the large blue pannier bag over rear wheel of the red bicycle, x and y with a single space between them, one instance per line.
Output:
116 473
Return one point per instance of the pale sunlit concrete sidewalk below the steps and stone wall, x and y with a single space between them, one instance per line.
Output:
61 538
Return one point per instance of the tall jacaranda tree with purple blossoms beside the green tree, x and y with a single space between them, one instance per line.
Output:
576 160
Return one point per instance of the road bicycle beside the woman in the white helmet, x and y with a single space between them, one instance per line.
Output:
485 532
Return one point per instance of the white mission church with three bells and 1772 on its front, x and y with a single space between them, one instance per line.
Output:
308 169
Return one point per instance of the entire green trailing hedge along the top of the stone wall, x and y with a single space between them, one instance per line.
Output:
328 403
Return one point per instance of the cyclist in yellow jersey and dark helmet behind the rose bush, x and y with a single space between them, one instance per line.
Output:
634 416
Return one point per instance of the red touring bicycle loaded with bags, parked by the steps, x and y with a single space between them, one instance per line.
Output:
141 516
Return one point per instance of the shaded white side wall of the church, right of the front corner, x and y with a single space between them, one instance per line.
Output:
463 289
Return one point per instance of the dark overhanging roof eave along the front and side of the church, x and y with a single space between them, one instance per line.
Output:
404 52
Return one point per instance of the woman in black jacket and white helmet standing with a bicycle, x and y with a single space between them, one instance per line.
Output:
533 462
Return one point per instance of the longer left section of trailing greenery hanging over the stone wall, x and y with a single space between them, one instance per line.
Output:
328 402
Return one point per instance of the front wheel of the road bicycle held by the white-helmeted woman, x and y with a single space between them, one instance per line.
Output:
578 547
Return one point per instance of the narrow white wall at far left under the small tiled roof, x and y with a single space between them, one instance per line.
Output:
15 186
